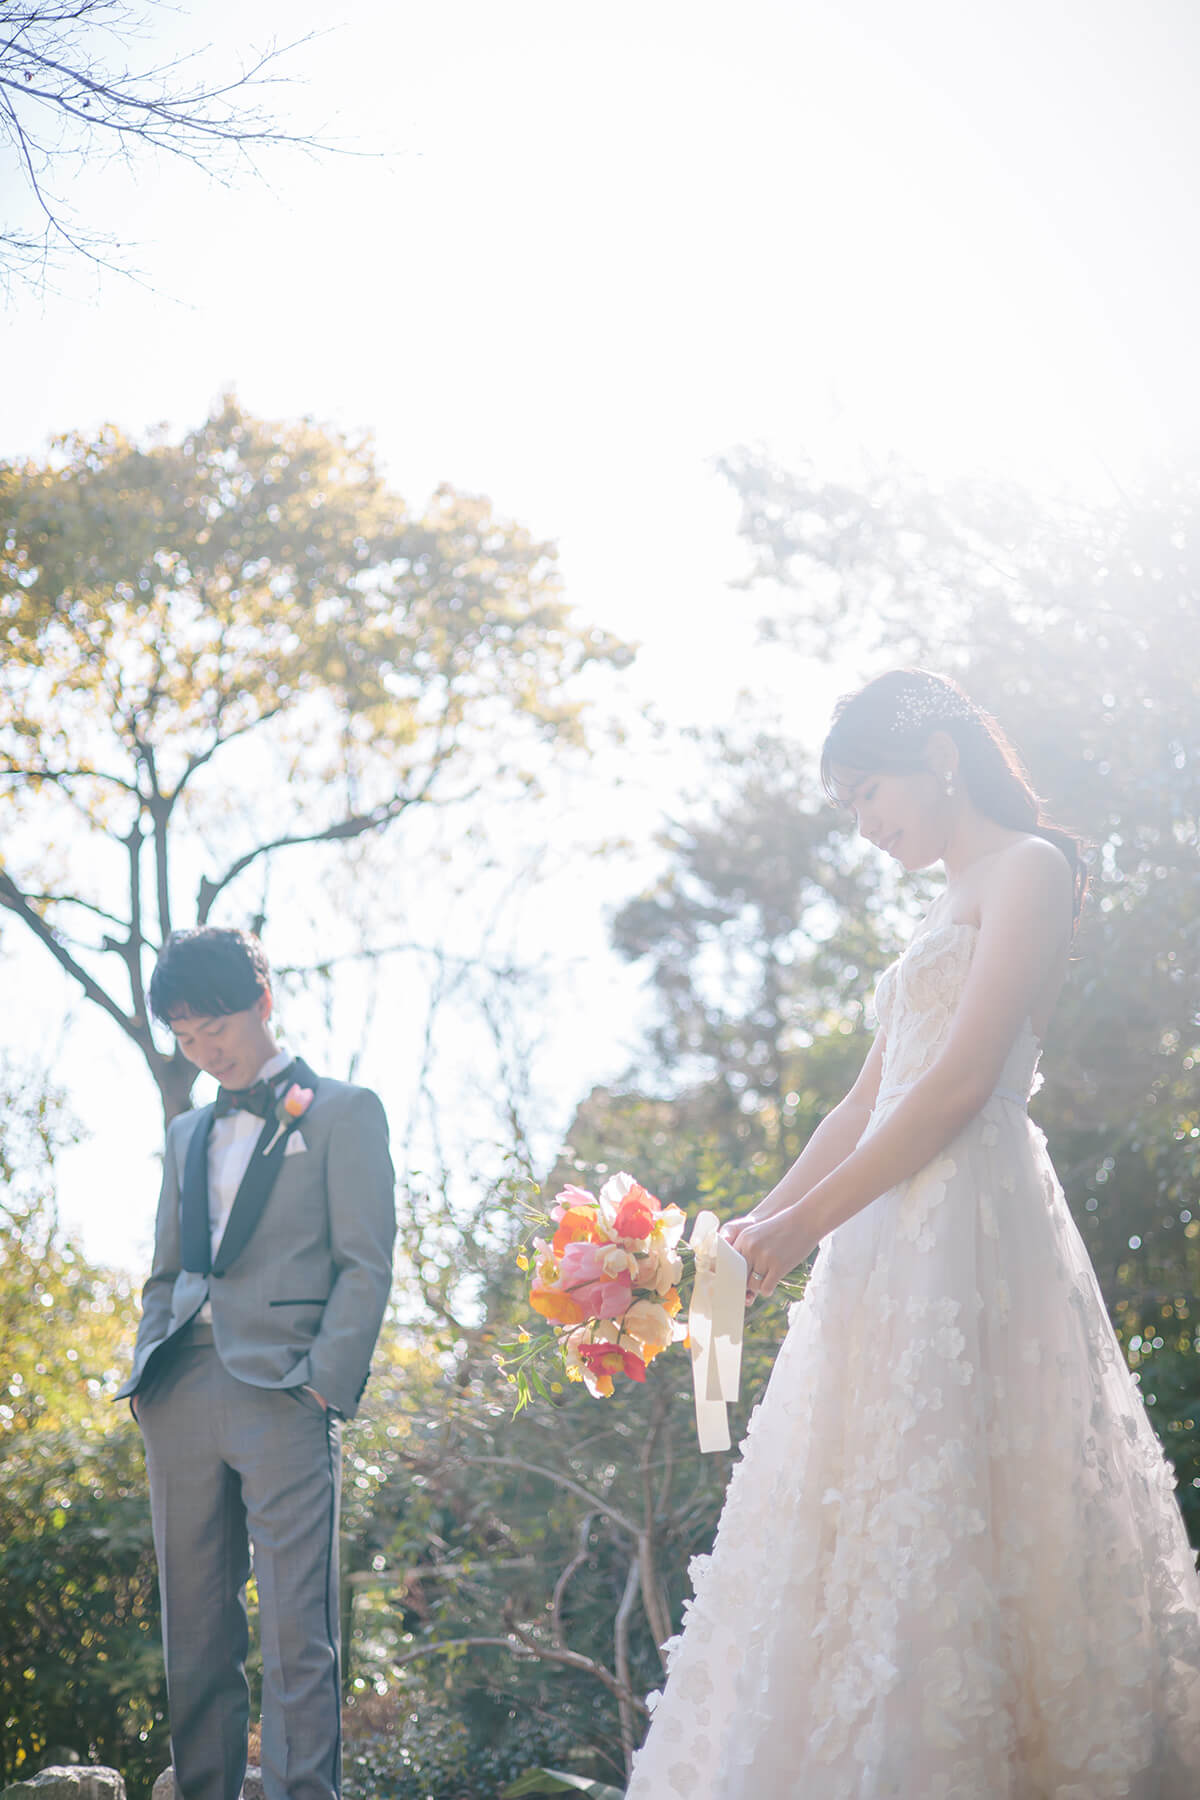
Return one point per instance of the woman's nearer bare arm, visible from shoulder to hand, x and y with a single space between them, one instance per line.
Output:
1025 921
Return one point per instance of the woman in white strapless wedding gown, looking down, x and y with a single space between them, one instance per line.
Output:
951 1563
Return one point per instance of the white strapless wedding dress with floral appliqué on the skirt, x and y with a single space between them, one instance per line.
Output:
951 1563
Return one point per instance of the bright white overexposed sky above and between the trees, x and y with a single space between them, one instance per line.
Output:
600 247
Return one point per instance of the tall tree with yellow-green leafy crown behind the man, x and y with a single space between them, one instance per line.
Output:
249 627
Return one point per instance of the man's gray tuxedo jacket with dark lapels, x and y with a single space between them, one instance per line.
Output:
303 1302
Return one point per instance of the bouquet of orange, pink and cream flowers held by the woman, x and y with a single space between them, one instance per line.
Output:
607 1284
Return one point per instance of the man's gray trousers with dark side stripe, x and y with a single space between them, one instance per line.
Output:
233 1468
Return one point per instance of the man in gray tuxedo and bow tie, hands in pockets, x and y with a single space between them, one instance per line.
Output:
273 1270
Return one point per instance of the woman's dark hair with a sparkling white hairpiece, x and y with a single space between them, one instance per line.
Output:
888 724
